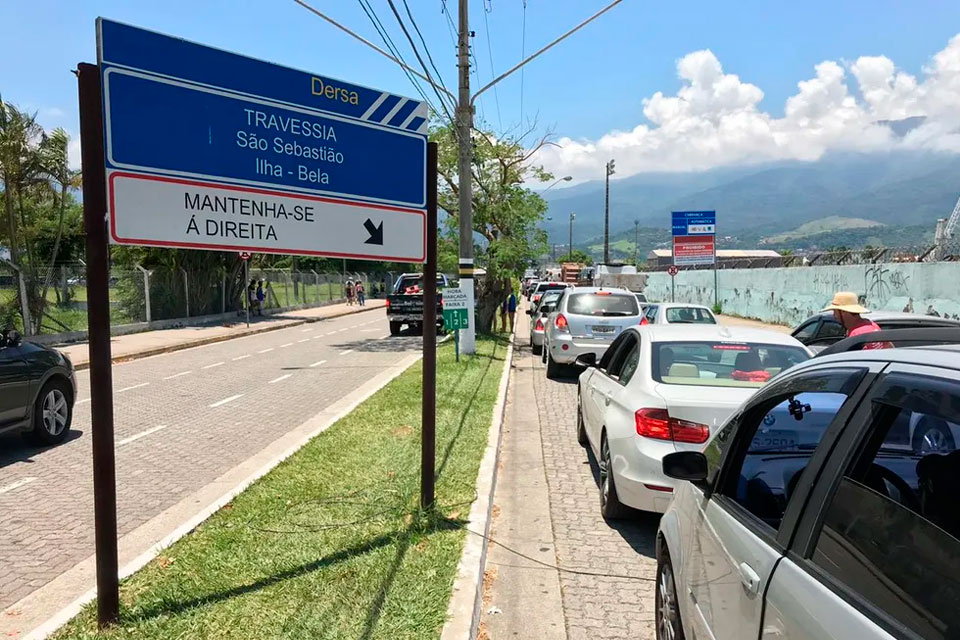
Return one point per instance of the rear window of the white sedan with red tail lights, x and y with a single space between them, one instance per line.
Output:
722 364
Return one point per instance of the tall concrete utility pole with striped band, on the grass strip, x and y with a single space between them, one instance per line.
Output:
464 129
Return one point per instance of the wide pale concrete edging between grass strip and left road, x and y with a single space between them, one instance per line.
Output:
143 544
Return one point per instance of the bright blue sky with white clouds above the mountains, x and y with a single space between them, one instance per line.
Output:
658 86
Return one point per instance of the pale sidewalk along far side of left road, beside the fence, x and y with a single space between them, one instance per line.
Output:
149 343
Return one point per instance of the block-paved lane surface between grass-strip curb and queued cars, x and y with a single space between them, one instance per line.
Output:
547 507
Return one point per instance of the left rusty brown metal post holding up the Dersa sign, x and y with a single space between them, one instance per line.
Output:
98 318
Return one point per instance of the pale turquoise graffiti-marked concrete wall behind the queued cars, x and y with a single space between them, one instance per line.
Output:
789 295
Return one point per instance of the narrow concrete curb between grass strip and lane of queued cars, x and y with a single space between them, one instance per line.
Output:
463 611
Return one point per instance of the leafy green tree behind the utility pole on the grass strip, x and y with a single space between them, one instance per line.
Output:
505 212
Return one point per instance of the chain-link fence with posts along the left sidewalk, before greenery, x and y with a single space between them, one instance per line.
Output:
58 299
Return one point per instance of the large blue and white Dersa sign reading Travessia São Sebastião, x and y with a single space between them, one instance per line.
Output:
212 150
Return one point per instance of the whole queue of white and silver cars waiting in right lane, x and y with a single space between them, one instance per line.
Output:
803 497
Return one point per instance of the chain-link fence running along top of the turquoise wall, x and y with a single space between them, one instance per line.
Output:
944 252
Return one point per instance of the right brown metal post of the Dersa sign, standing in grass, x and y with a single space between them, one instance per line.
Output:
428 444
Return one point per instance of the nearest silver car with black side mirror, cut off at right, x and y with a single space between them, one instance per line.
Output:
809 517
